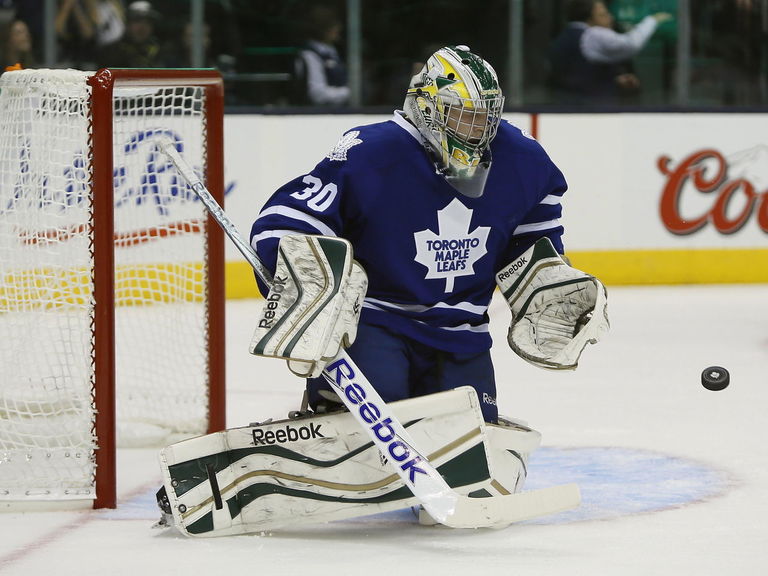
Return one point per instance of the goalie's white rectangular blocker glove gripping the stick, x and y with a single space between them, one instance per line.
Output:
314 305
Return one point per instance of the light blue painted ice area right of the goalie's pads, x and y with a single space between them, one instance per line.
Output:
617 482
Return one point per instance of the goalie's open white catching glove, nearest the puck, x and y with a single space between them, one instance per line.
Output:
556 310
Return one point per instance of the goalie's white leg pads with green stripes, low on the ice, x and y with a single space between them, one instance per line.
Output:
323 468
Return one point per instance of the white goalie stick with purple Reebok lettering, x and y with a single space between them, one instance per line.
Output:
388 434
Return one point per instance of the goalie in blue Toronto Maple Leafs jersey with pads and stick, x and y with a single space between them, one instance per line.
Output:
378 268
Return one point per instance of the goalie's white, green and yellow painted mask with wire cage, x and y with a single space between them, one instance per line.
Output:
455 102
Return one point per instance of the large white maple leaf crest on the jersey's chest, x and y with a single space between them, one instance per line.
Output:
453 251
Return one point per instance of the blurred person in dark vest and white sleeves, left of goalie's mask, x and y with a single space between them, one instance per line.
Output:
319 72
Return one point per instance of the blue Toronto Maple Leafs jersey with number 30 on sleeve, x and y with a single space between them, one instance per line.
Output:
431 253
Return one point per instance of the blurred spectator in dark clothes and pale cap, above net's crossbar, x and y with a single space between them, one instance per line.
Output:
139 47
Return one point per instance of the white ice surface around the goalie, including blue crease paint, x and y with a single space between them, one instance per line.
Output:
674 477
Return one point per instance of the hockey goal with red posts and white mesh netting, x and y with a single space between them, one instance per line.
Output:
111 275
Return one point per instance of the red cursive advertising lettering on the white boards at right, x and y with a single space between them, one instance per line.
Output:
729 182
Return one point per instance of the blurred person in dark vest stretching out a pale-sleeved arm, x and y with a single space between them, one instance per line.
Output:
591 62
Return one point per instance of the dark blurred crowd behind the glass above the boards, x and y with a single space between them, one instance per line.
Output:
709 54
